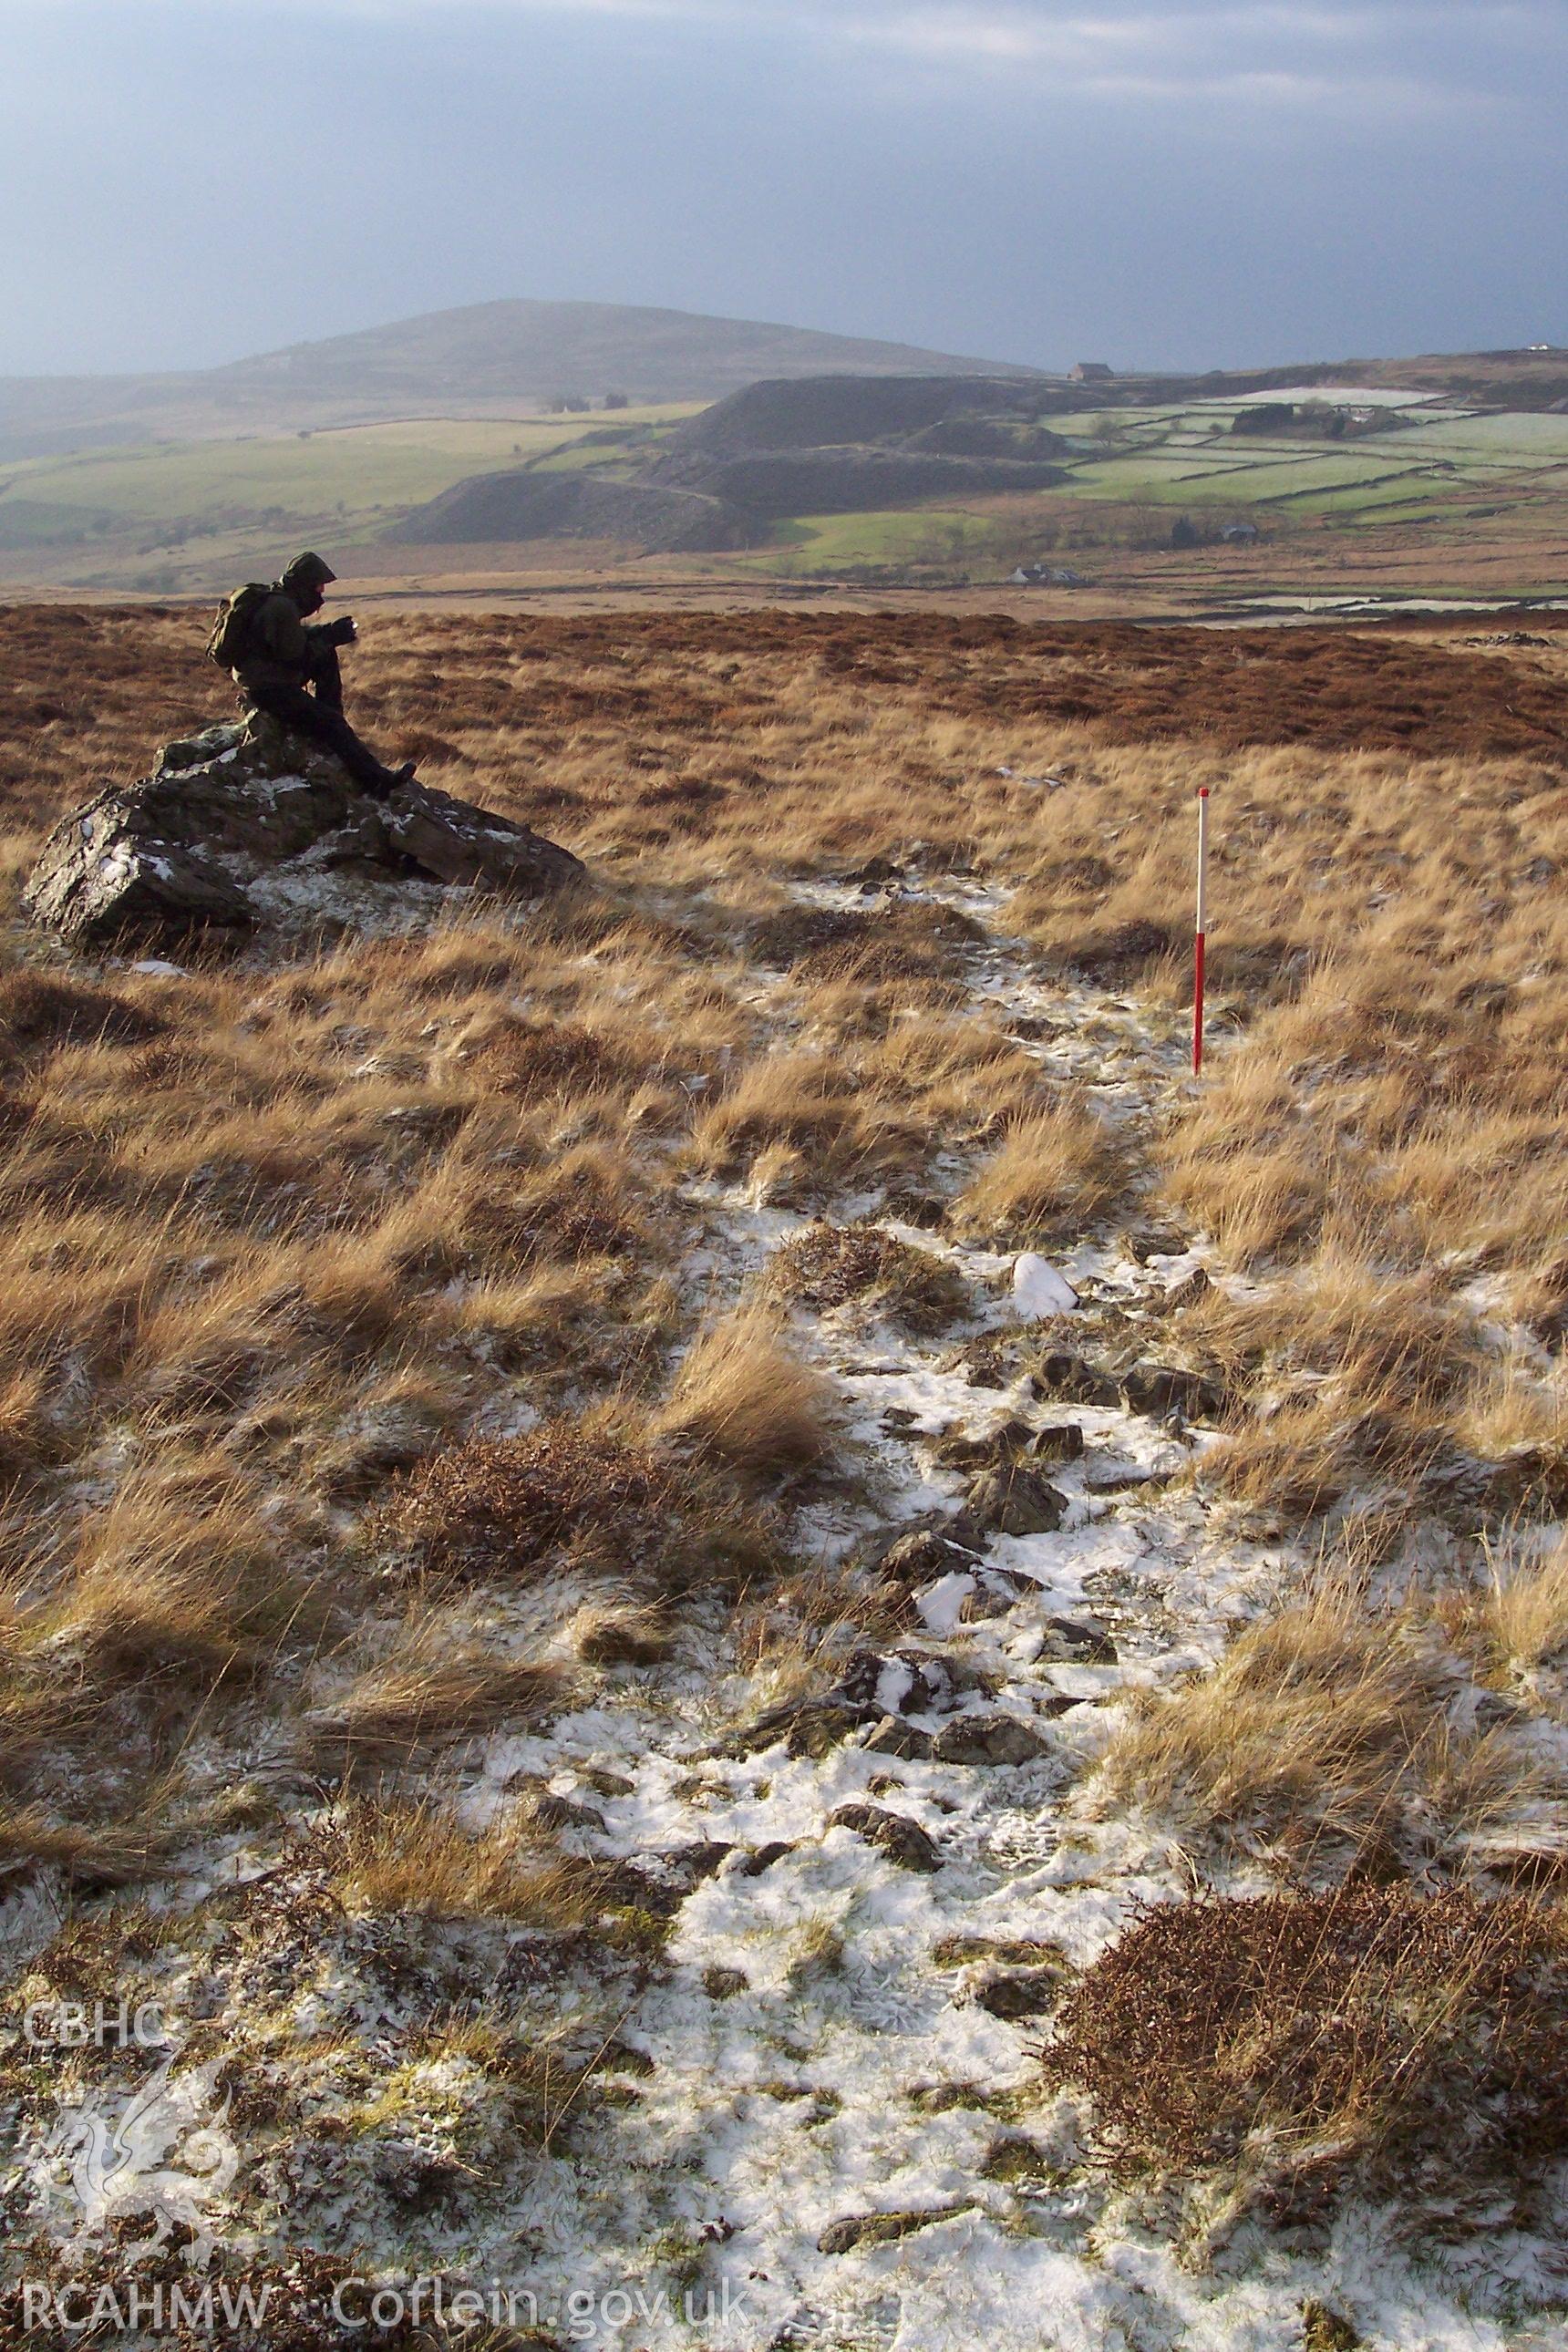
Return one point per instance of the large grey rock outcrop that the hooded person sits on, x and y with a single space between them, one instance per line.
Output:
248 827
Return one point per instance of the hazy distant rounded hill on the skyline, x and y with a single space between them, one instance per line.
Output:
483 361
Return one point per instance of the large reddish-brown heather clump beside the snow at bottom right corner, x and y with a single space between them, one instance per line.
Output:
1292 2043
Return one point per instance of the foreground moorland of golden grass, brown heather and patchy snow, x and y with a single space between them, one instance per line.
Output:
721 1624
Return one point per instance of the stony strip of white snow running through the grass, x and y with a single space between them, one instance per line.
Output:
822 2043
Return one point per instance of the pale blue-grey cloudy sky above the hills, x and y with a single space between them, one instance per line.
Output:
1200 185
